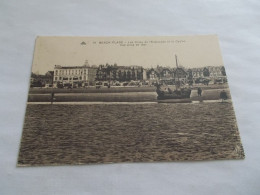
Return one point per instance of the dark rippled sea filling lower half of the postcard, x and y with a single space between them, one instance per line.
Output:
79 134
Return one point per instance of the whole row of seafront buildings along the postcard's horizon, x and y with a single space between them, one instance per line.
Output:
88 75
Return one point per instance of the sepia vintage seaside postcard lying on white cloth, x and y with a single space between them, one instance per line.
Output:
128 99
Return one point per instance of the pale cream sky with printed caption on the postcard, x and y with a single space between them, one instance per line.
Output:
191 51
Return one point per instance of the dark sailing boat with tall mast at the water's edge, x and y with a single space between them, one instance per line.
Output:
179 92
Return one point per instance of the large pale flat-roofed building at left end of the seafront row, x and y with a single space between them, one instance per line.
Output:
74 76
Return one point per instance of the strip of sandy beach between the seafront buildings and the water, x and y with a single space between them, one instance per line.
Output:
117 94
